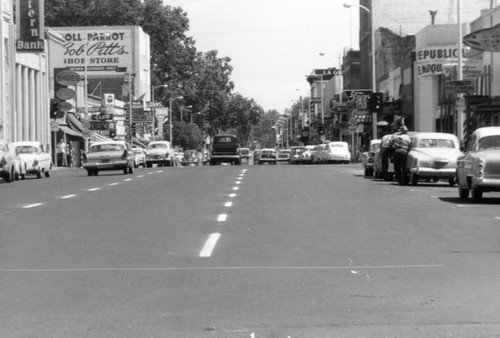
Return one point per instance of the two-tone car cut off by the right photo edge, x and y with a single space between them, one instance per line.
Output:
478 170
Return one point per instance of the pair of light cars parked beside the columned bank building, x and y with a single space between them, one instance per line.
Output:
20 159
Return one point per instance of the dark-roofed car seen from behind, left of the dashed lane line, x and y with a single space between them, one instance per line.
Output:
109 155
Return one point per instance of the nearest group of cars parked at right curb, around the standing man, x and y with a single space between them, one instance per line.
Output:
434 157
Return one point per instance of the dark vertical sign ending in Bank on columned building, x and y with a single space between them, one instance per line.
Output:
30 26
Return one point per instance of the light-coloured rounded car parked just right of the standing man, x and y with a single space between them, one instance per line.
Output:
432 156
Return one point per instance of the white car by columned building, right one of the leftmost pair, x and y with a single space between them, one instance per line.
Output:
34 160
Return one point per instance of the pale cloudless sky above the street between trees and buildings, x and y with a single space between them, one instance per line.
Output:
273 44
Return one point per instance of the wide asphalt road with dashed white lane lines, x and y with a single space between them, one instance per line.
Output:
245 251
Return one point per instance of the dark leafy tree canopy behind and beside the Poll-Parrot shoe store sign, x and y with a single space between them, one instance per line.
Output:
202 79
